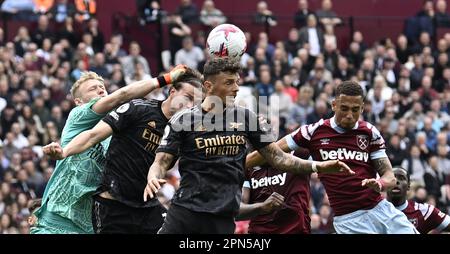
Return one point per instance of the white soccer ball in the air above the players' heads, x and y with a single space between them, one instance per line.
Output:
226 40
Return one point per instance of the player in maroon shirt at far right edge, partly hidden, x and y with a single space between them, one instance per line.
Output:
424 217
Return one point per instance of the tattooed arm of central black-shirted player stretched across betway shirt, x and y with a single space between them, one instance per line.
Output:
287 162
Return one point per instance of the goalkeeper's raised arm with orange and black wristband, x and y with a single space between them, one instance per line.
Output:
137 89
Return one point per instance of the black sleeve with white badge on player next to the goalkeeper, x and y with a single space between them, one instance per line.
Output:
120 118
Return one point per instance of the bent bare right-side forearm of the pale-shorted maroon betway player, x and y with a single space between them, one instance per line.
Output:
387 178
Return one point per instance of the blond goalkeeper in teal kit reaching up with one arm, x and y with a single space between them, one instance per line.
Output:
66 203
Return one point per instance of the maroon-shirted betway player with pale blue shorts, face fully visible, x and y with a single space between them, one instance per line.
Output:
356 200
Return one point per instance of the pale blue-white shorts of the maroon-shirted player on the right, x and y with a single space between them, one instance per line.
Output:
384 218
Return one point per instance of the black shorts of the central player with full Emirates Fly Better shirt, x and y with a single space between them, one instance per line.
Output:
181 220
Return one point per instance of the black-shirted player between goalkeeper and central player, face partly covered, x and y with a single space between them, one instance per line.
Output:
136 128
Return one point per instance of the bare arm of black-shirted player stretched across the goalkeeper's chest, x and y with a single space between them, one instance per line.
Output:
80 143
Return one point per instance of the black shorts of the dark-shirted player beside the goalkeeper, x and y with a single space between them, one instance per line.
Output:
112 217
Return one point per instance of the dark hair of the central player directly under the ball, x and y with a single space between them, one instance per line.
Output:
218 64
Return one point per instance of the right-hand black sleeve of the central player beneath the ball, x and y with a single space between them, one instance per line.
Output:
260 136
